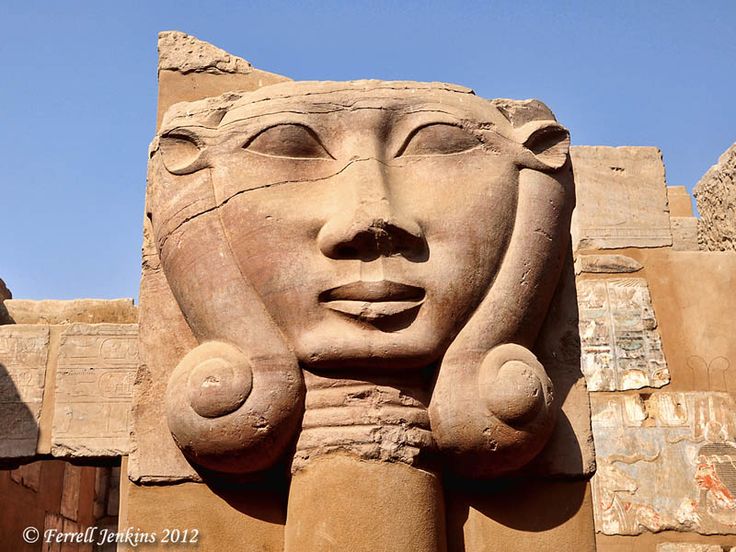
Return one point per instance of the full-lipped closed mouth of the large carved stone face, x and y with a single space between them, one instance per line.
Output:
371 301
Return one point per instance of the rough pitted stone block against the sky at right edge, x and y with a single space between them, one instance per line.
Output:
715 194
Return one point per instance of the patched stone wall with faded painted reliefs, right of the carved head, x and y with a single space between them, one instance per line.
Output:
656 332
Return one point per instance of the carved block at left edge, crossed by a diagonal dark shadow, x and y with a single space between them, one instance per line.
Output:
23 359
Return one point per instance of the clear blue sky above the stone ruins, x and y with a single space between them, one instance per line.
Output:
78 95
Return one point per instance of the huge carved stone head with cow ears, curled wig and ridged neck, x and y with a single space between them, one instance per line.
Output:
381 254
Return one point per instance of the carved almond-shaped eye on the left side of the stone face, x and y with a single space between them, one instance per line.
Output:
288 140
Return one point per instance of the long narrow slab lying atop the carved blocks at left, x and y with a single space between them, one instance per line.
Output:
90 311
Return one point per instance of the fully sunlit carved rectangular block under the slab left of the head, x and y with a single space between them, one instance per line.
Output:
94 380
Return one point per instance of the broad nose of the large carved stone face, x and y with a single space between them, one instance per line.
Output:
371 226
